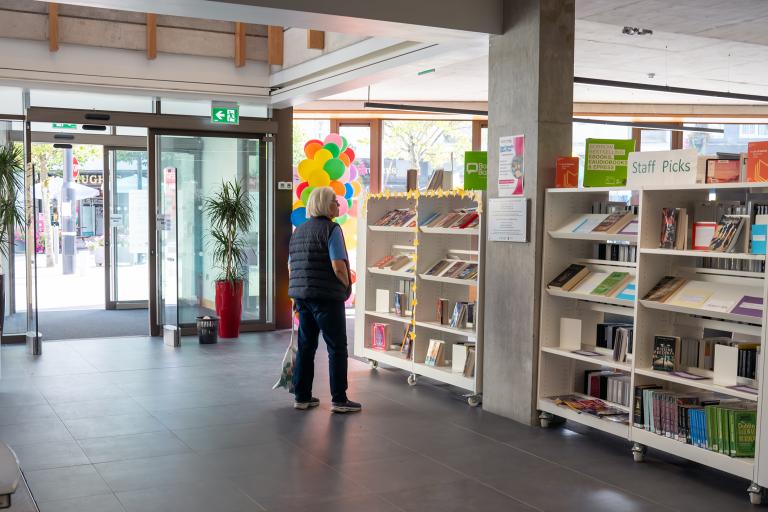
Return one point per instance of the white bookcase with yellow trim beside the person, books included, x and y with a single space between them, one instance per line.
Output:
418 301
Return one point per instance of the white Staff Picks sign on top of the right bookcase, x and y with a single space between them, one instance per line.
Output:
653 168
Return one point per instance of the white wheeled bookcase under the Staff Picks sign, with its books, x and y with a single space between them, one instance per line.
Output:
690 383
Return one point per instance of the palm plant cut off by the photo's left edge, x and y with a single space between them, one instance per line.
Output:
11 213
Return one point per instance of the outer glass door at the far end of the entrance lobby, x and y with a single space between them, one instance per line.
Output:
126 247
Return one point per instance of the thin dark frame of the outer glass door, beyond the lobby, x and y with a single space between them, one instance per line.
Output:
108 172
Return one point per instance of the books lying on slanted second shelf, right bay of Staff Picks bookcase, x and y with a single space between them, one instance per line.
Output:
708 296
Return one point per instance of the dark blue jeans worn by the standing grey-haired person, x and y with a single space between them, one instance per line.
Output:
329 318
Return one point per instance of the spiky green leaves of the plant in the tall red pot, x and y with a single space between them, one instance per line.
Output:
231 213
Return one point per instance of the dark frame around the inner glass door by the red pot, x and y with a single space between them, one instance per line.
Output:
155 328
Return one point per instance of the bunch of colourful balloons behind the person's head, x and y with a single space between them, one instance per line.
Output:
328 164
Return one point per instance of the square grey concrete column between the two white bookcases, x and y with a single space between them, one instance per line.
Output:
530 93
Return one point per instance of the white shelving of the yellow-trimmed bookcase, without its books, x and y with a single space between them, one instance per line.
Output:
428 245
